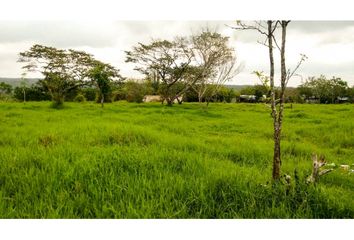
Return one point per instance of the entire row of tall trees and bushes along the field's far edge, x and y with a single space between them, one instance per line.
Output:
190 68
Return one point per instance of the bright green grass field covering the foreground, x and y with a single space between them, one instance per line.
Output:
151 161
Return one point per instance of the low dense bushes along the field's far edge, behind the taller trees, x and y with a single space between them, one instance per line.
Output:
314 90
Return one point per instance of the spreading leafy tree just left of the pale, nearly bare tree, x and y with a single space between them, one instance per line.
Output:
170 60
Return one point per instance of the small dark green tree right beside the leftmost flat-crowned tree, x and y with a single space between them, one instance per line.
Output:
102 75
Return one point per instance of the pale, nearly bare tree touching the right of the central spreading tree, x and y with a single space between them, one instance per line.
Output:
215 63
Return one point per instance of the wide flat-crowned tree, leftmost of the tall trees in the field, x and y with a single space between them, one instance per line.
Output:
63 70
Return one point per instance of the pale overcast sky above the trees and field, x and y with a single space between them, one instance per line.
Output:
329 45
